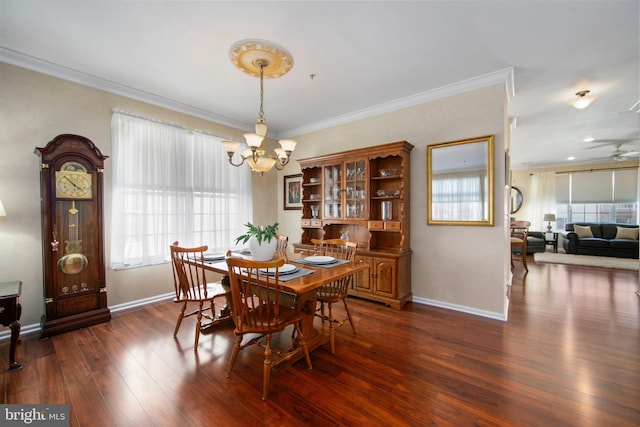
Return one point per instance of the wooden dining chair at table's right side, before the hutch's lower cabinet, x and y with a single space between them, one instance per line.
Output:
336 291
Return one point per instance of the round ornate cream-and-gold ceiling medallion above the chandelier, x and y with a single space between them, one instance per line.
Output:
248 55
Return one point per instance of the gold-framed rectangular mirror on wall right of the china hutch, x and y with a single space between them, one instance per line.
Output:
460 182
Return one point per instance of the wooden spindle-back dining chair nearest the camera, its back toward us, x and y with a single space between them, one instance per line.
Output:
256 309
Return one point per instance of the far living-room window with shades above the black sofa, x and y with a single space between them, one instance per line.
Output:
597 196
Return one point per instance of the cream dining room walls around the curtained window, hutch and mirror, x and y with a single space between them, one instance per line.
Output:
457 267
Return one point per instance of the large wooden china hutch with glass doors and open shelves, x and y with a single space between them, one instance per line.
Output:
363 196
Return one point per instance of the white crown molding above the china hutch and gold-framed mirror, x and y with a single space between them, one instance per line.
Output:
504 76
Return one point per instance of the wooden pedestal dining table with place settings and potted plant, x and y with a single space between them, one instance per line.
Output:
303 285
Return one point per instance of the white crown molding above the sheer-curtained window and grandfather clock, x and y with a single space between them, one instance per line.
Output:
35 64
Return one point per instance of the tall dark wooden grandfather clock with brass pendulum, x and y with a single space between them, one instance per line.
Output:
71 187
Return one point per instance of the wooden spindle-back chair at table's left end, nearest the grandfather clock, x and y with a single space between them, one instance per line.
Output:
191 286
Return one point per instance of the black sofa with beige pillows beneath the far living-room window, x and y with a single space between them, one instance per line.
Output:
602 239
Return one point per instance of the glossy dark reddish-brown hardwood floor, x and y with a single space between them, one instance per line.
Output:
568 356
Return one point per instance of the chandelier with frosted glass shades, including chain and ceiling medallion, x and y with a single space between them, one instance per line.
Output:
260 58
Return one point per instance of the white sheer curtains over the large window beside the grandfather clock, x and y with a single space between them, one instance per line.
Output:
169 185
